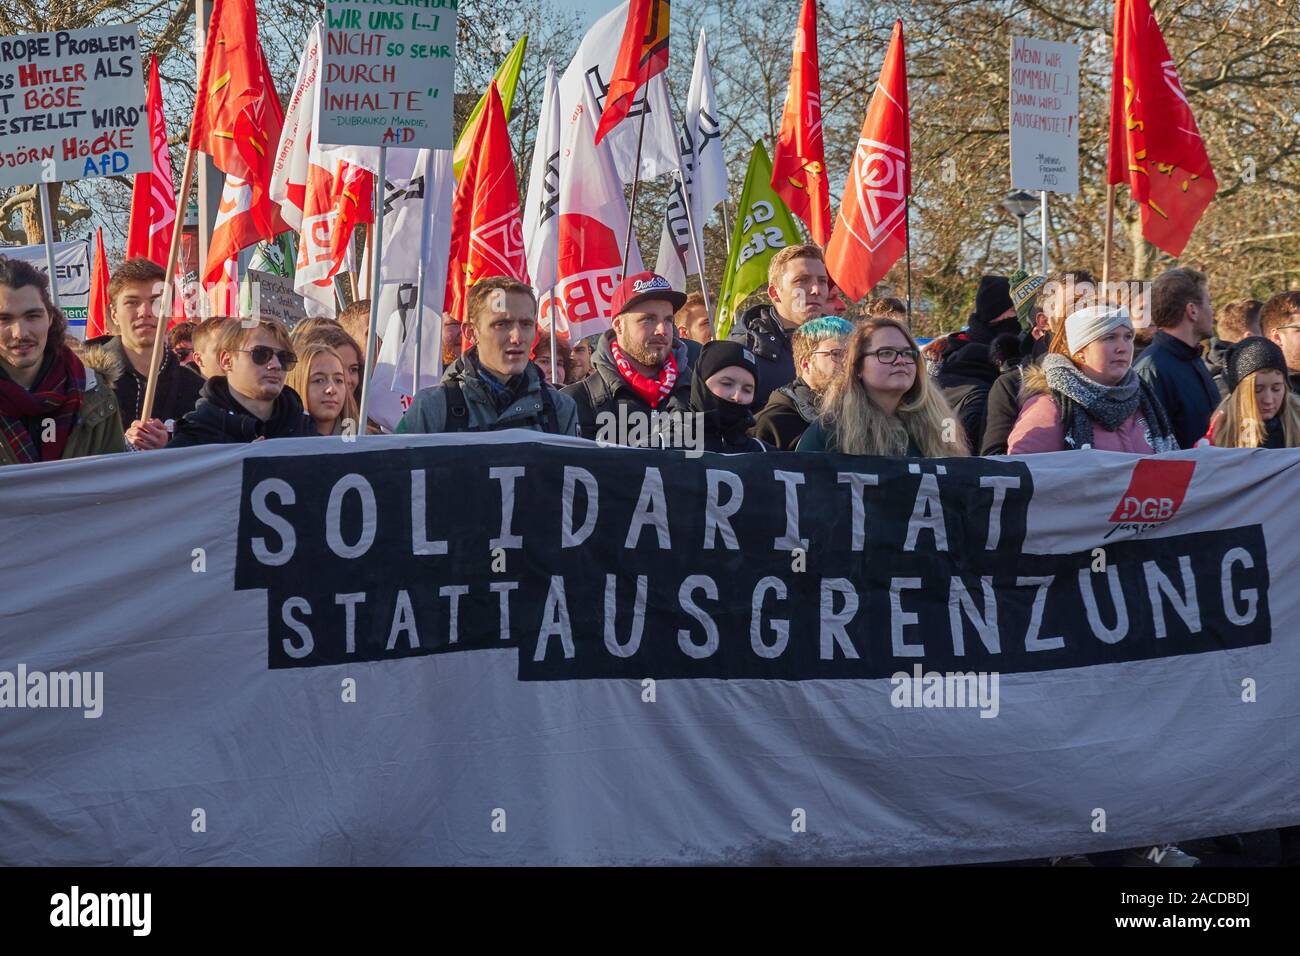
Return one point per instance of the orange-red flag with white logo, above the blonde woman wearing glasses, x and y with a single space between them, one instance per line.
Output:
872 230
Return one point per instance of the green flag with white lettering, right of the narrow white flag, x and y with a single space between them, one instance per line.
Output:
764 226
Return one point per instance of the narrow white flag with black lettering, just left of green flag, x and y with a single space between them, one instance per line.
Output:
704 170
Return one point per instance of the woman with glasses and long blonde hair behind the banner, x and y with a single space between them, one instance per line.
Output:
883 403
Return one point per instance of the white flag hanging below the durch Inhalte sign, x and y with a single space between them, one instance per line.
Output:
395 371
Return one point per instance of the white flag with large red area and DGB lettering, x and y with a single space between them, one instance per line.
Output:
592 231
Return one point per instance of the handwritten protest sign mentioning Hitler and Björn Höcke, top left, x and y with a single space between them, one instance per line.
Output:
72 106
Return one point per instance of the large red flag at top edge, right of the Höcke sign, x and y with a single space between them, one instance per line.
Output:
239 120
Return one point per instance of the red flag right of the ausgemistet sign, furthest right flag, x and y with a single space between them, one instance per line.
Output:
1155 145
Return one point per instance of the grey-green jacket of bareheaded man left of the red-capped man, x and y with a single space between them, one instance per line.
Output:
487 410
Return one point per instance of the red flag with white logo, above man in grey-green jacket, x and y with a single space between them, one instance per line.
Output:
487 224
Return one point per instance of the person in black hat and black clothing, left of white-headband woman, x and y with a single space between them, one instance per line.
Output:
967 367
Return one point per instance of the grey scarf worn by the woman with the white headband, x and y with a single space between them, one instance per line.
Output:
1085 403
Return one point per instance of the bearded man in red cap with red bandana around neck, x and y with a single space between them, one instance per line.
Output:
639 367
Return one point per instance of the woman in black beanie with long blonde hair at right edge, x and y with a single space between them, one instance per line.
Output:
1260 412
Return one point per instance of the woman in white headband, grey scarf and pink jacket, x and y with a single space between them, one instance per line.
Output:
1085 393
